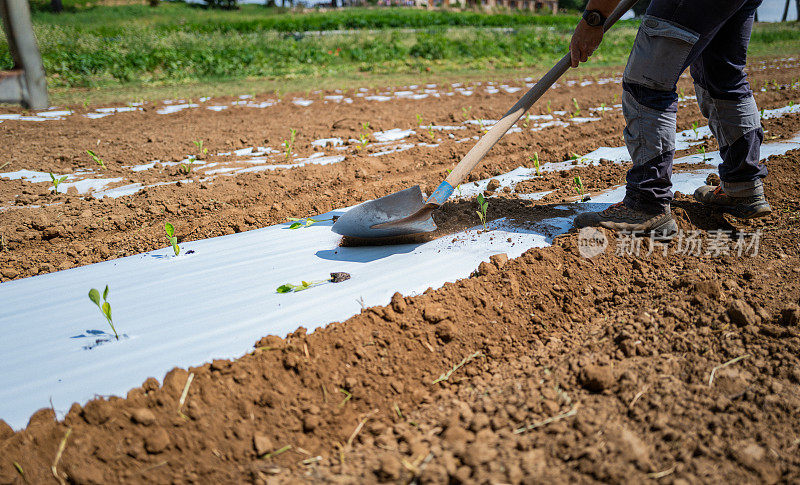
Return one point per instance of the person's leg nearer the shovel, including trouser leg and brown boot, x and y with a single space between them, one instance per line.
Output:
672 35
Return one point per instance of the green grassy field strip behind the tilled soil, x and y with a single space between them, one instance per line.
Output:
175 45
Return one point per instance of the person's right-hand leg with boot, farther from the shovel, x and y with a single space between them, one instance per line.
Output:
725 98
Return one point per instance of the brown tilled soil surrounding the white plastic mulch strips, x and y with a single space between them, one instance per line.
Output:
574 369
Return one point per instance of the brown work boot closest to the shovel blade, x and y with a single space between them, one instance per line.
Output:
622 218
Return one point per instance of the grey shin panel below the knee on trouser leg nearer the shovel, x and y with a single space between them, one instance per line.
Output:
649 132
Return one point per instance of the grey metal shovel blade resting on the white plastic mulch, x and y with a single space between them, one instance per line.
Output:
360 221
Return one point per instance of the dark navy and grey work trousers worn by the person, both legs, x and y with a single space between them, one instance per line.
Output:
711 37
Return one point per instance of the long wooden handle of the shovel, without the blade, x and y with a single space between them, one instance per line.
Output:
476 154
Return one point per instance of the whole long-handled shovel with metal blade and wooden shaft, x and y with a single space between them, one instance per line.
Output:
407 212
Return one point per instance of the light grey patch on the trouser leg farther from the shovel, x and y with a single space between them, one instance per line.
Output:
729 119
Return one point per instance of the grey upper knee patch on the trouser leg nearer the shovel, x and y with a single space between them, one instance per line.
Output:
659 54
